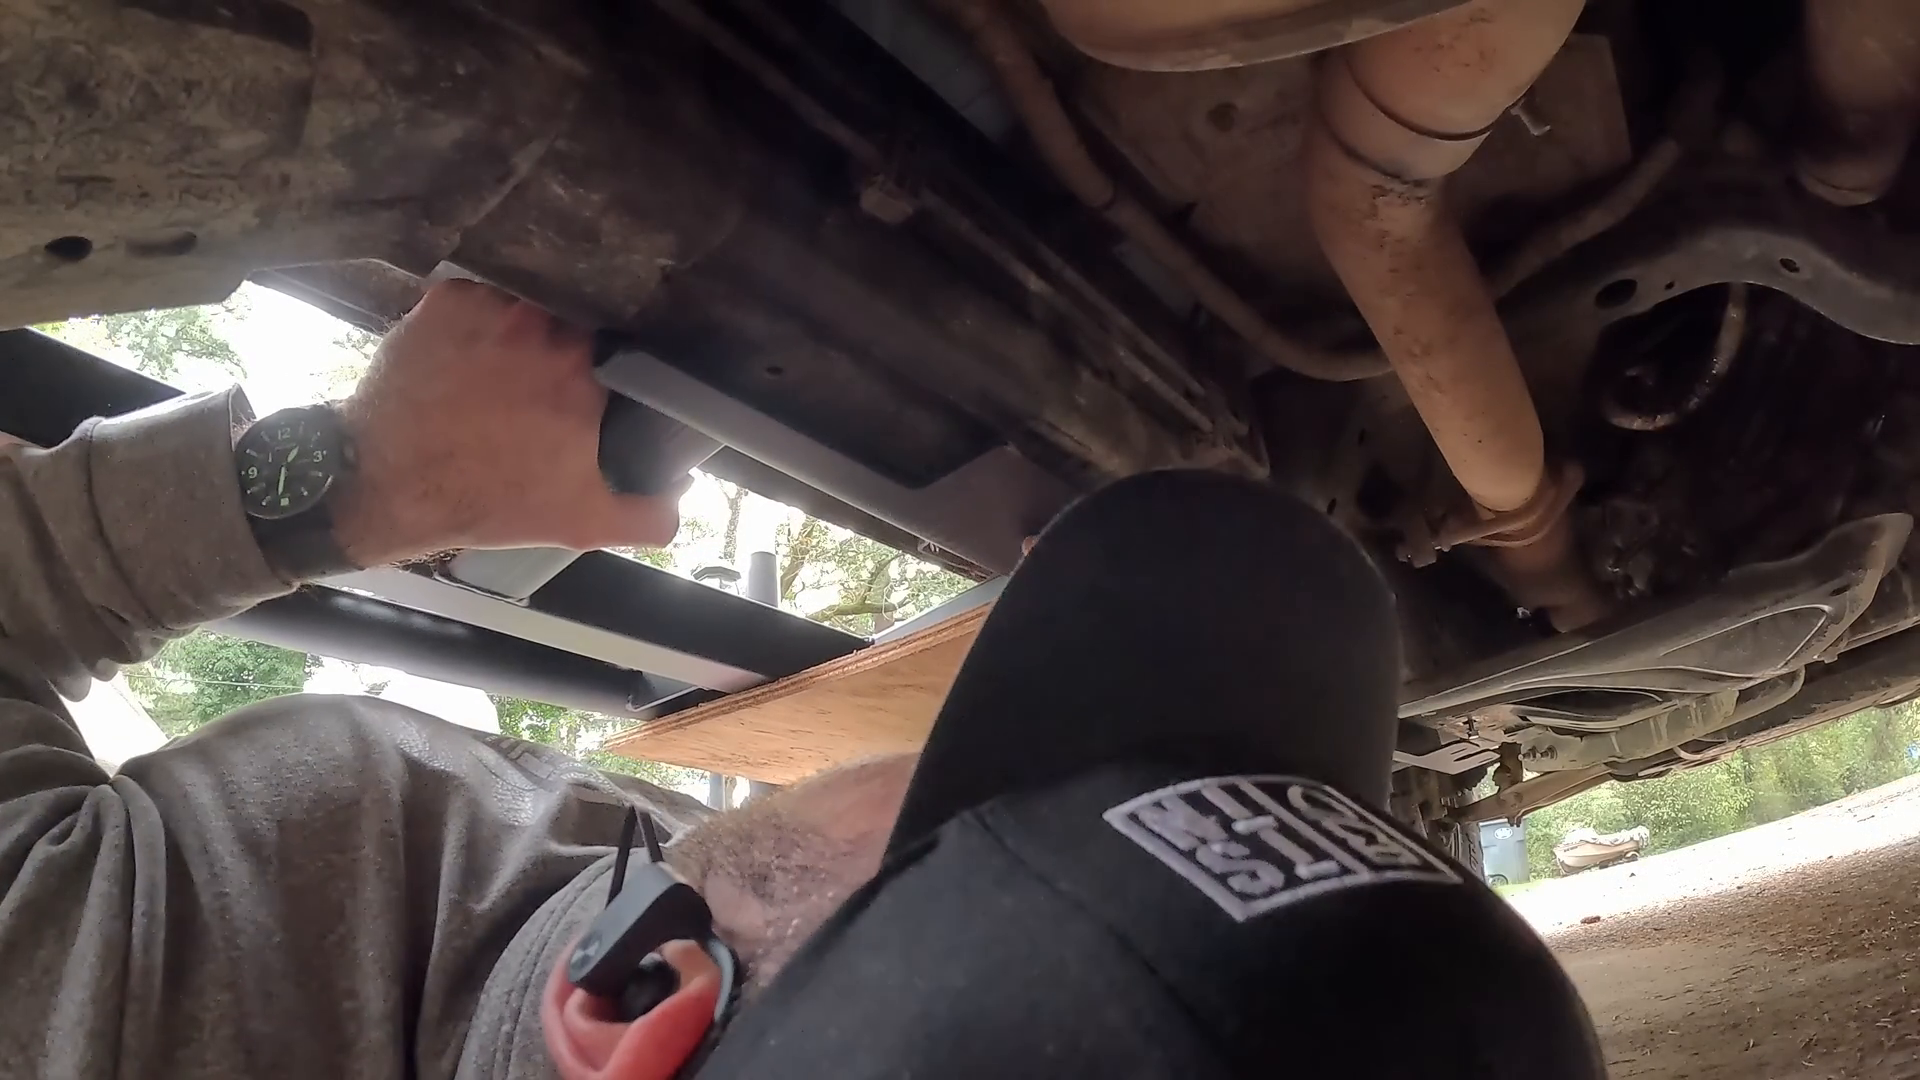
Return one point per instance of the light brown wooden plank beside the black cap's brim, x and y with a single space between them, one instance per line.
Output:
878 700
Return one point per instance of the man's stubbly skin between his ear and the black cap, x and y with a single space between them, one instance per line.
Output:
779 868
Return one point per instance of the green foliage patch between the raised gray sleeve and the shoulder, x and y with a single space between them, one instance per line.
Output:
208 675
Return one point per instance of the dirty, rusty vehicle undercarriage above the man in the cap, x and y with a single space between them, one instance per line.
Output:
1589 320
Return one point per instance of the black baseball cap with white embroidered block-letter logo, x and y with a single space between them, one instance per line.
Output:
1145 839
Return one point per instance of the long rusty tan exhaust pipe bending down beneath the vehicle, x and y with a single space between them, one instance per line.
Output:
1397 116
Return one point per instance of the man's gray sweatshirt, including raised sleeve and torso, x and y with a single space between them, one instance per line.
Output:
314 887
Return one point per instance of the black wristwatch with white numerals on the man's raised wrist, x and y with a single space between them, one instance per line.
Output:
289 464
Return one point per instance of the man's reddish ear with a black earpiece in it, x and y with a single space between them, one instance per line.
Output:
588 1041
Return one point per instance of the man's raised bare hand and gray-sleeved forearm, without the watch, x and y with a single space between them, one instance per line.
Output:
475 428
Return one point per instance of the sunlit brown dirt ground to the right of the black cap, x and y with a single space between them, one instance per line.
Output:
1783 952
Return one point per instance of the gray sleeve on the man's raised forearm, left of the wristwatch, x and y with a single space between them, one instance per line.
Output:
118 539
